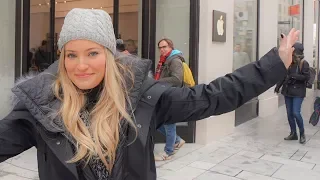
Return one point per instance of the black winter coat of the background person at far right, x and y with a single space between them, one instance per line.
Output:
294 83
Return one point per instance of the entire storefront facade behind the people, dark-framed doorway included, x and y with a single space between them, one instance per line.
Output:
252 28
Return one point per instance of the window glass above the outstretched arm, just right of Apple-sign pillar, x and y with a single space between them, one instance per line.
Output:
245 32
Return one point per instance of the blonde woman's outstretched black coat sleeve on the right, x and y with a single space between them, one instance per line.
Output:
222 95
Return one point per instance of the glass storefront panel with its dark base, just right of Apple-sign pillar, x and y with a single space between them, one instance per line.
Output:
245 42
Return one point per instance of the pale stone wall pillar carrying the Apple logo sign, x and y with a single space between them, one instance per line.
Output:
215 60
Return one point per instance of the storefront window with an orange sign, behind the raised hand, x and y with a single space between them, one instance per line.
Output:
290 16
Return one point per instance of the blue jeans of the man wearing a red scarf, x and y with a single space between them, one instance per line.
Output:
171 137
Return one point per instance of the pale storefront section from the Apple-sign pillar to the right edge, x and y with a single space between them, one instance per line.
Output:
217 59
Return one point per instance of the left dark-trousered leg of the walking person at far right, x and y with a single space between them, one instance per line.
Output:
289 106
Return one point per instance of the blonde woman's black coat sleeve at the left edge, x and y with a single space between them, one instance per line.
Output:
16 134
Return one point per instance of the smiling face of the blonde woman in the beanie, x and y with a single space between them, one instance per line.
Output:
85 63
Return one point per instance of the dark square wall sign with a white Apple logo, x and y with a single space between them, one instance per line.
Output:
219 20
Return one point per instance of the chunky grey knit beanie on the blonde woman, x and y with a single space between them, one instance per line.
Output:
87 24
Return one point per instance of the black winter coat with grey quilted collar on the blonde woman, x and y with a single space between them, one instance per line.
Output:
29 124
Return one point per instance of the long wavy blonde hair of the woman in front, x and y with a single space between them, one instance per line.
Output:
102 138
